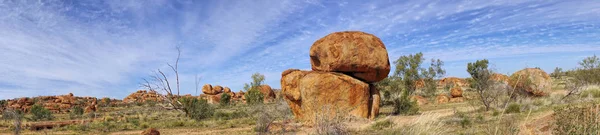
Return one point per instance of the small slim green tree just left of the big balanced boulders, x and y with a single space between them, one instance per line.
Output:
253 95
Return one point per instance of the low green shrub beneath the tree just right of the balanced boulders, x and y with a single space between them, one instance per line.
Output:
403 105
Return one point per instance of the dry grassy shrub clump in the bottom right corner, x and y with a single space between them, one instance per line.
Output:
577 119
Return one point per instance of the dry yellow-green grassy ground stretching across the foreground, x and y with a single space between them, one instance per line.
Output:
527 116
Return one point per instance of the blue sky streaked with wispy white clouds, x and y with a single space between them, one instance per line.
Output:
104 48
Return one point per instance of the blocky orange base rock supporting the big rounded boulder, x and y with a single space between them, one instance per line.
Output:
314 92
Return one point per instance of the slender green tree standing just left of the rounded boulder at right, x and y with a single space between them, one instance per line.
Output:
481 82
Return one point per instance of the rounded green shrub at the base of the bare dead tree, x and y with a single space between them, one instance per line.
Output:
196 108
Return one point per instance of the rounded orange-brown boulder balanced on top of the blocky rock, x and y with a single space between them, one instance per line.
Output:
358 54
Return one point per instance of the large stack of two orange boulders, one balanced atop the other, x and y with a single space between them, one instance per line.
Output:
344 66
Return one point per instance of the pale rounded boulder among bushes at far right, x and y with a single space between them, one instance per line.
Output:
532 81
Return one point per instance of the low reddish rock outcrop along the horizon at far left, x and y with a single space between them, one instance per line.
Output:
56 104
